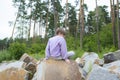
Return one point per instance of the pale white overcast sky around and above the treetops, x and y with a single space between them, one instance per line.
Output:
8 13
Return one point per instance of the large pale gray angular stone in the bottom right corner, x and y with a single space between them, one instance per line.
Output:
99 73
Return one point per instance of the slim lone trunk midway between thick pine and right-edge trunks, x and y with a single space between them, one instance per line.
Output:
97 24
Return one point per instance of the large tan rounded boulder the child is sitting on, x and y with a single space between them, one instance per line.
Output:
57 70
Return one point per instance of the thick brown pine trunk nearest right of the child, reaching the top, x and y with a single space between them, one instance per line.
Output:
82 23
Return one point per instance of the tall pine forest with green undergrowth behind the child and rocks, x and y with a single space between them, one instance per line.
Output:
92 31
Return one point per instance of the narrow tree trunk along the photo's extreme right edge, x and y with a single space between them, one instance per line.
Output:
118 24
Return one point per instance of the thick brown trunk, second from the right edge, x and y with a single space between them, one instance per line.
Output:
113 22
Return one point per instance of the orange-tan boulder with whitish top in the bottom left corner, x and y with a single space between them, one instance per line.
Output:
13 71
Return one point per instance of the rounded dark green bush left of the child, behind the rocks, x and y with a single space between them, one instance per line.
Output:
17 49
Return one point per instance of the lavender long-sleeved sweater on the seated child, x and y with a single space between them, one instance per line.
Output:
56 47
